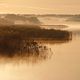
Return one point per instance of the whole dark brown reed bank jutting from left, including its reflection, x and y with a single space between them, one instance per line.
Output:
28 43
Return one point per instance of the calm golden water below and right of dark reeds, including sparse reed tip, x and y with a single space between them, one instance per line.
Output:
51 61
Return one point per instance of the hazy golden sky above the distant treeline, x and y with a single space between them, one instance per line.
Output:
40 6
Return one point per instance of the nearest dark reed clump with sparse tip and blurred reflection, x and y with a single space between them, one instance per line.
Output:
28 50
